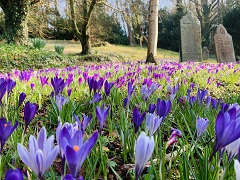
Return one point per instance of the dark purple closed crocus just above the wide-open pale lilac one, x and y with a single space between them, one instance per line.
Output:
30 110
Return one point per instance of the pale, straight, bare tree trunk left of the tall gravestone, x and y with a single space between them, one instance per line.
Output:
152 32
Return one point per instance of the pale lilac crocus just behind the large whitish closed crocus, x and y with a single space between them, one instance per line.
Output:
152 123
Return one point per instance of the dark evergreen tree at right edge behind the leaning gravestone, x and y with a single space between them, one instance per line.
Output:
231 22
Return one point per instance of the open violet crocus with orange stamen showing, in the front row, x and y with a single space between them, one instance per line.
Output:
77 151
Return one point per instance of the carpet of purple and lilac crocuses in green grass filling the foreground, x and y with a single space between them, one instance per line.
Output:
121 121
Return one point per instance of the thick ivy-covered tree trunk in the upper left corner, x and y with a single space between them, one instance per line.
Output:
16 16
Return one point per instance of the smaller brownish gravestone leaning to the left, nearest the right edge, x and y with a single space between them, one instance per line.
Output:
224 45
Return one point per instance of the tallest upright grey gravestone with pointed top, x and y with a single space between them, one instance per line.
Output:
191 43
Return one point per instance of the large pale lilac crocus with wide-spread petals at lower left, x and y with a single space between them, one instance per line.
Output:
41 153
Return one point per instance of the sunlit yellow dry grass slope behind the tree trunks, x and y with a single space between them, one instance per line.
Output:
127 52
